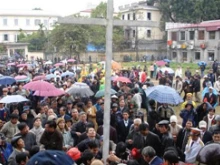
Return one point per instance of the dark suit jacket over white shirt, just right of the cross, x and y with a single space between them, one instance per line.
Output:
122 130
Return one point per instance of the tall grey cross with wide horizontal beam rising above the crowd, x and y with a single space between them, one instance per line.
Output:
109 22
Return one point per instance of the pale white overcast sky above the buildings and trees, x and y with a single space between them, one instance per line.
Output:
61 7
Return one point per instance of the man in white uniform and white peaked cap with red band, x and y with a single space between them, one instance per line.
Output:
193 145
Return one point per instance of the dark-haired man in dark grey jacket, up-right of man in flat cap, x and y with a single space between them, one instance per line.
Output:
28 137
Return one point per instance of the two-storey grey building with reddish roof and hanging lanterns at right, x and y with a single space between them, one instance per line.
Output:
194 42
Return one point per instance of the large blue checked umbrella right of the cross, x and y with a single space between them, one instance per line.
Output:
164 94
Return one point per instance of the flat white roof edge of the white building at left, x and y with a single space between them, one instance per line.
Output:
28 13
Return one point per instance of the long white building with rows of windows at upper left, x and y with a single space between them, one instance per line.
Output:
12 22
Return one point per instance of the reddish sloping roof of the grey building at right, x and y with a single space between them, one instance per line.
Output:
213 25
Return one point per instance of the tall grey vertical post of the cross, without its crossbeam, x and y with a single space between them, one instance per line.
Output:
109 34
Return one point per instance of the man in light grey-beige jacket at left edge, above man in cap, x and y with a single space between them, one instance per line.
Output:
10 128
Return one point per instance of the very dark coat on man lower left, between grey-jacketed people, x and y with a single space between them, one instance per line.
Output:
52 141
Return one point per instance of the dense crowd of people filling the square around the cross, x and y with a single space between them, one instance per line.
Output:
142 131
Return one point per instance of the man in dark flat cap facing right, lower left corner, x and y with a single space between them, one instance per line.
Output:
18 146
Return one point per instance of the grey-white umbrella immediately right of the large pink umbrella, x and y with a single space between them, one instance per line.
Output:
80 89
